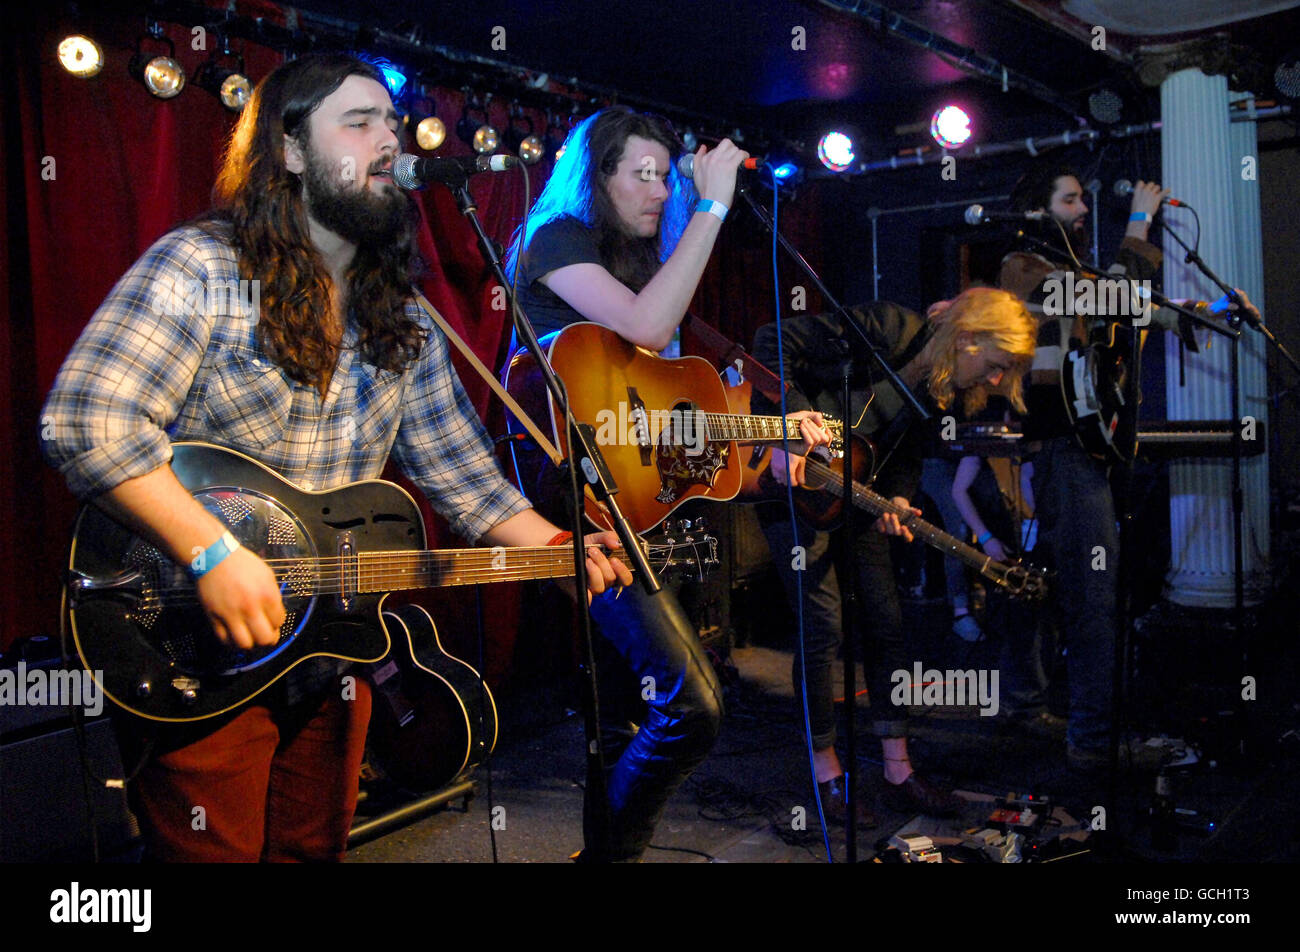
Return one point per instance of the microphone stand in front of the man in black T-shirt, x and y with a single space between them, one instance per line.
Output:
848 577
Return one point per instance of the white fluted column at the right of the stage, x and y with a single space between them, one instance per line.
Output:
1202 155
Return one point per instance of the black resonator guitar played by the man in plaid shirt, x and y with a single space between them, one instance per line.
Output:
142 634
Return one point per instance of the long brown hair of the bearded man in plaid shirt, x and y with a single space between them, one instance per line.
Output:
258 204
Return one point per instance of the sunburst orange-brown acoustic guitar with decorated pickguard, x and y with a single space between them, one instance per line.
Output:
664 426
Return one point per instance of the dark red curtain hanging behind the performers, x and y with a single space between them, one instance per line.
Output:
96 171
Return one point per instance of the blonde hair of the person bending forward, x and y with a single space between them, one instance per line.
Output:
994 319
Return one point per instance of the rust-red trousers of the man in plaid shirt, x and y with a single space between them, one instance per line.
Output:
274 786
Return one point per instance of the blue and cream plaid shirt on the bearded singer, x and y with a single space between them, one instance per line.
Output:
174 354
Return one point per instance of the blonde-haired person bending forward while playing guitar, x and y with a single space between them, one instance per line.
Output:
965 349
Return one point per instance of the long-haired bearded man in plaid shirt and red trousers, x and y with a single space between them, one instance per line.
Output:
323 375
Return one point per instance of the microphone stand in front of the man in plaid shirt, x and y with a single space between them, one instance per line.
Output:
583 456
